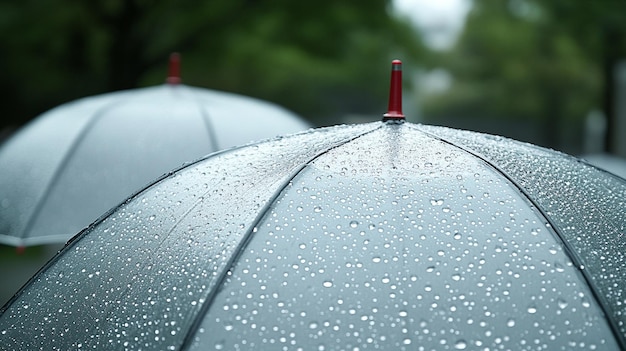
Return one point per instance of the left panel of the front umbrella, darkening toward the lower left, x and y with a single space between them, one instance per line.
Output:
143 272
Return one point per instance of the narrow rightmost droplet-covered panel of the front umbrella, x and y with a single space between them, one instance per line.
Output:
585 204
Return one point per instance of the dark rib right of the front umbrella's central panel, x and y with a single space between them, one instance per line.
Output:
567 247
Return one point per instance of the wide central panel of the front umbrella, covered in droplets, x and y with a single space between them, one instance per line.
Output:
436 251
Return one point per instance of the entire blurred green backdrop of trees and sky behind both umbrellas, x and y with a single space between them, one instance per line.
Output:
550 72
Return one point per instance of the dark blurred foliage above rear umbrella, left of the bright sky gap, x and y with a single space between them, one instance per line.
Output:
319 59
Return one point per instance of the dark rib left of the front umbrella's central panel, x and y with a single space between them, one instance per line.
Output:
248 236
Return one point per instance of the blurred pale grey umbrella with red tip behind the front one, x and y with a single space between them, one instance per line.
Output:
71 164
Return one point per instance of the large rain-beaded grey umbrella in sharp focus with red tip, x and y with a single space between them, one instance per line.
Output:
386 235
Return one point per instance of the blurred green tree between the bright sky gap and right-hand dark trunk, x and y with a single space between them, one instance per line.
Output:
524 68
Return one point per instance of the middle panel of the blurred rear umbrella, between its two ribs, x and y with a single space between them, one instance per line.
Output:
127 135
